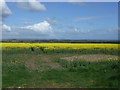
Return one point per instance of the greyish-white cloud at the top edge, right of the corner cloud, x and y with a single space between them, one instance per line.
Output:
32 6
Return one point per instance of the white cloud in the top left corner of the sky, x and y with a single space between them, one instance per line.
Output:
4 9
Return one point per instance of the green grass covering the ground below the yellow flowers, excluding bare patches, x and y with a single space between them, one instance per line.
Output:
77 74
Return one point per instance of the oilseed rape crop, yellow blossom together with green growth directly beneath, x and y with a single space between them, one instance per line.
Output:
63 47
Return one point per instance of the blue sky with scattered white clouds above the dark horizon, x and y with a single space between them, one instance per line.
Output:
60 20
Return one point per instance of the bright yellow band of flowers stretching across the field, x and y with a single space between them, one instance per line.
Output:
49 46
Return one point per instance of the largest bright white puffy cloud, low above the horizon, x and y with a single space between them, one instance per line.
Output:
42 27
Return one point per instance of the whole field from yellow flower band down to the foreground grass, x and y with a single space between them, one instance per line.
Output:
60 65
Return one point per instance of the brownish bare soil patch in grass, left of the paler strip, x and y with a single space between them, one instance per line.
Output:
35 63
